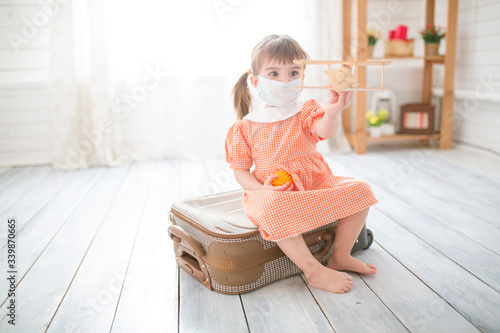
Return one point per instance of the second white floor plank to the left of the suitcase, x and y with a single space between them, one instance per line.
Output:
103 270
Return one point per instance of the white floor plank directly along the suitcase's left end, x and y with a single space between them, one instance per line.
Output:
151 283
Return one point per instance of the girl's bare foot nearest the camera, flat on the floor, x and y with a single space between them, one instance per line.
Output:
330 280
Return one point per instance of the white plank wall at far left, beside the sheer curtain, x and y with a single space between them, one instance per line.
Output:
24 44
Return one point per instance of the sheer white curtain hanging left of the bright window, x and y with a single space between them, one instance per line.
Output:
84 127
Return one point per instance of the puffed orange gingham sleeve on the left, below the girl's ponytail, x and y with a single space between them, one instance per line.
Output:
237 150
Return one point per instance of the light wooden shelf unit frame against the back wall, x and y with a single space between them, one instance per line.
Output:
359 137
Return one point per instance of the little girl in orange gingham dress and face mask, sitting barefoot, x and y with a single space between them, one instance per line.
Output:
283 136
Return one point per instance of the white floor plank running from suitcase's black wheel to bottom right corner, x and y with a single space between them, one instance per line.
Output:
474 299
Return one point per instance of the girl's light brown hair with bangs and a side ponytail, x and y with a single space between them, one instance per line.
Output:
279 47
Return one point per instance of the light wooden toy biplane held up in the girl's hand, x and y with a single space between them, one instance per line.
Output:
341 78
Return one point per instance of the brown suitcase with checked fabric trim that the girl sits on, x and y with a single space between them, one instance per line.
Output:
217 244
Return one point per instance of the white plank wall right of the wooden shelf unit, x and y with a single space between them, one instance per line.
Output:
477 74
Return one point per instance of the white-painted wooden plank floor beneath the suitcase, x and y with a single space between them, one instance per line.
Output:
93 255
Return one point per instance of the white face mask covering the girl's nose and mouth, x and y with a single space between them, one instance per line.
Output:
277 93
